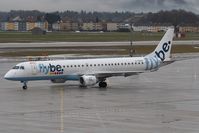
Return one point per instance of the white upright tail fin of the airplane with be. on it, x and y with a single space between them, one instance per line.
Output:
163 49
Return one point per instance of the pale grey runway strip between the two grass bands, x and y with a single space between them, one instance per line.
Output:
79 44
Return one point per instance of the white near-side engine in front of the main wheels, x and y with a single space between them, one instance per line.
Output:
88 80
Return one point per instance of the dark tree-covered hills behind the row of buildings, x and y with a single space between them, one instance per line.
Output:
174 17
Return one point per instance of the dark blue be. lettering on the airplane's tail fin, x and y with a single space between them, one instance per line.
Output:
165 48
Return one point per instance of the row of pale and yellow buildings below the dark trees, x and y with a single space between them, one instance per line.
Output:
19 24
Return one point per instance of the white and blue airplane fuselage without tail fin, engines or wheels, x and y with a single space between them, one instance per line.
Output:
73 69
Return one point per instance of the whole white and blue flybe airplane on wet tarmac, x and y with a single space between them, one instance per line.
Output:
90 72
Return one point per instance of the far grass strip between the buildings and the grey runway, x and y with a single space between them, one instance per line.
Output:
84 37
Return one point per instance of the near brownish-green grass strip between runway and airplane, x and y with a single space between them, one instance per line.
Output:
110 50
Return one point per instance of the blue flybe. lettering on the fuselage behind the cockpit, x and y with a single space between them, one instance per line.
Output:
50 69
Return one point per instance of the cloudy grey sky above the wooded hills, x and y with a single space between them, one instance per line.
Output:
100 5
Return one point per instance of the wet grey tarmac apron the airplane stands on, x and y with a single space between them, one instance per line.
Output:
165 101
